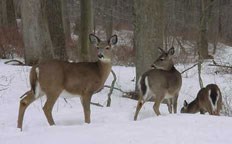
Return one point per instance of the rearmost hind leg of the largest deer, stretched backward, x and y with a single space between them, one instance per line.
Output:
24 103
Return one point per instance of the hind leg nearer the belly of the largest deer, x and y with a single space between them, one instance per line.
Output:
48 106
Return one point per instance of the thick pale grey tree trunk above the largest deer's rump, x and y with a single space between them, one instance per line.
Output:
37 42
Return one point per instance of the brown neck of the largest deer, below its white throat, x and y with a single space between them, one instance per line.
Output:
104 68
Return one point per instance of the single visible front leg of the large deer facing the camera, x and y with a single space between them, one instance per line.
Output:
85 100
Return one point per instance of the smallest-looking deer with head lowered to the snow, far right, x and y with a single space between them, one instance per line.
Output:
208 99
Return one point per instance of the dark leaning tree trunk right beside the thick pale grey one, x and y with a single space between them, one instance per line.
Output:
53 10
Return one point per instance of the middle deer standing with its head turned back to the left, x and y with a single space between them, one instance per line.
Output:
163 82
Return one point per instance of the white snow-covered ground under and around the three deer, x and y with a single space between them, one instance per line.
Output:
112 125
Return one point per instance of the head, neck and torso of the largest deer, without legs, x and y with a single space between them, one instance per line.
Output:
77 78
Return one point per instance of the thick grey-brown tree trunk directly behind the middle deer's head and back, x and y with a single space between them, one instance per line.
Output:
148 33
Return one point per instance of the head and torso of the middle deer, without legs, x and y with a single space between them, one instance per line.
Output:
163 80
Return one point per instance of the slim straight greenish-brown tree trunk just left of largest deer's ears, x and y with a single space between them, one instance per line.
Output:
86 28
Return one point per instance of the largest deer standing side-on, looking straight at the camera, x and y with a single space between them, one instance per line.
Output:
54 78
